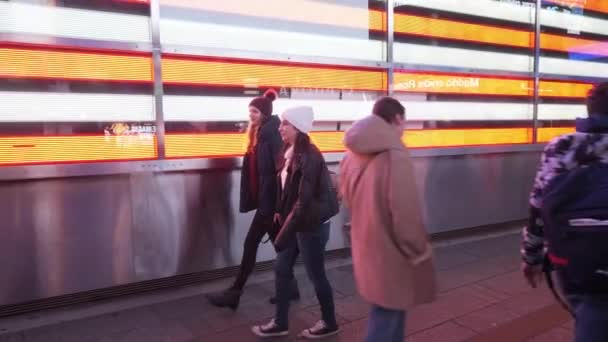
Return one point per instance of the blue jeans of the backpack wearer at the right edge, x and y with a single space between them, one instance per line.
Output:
591 318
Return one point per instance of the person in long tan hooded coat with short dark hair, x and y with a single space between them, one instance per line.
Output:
392 258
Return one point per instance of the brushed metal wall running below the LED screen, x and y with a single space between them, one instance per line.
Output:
69 235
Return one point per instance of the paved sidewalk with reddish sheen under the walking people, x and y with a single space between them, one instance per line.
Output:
480 288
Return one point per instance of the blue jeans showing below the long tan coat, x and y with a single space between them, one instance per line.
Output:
385 325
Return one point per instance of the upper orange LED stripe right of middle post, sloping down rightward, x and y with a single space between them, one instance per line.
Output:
449 29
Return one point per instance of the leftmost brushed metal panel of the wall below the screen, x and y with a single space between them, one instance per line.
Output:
63 236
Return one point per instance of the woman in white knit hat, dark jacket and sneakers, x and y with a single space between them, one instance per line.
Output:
306 201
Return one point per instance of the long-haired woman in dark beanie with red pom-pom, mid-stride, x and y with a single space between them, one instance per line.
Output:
258 191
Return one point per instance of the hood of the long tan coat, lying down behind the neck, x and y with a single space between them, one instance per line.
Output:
372 135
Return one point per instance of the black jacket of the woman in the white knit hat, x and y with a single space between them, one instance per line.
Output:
308 199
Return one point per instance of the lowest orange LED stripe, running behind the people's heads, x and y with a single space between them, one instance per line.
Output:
59 149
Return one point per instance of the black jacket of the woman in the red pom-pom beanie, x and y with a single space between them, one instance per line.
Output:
261 176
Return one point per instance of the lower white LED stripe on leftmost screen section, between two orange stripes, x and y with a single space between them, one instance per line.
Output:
62 107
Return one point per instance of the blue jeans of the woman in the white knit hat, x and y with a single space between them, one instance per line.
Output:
312 246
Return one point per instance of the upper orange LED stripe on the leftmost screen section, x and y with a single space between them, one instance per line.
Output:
51 64
